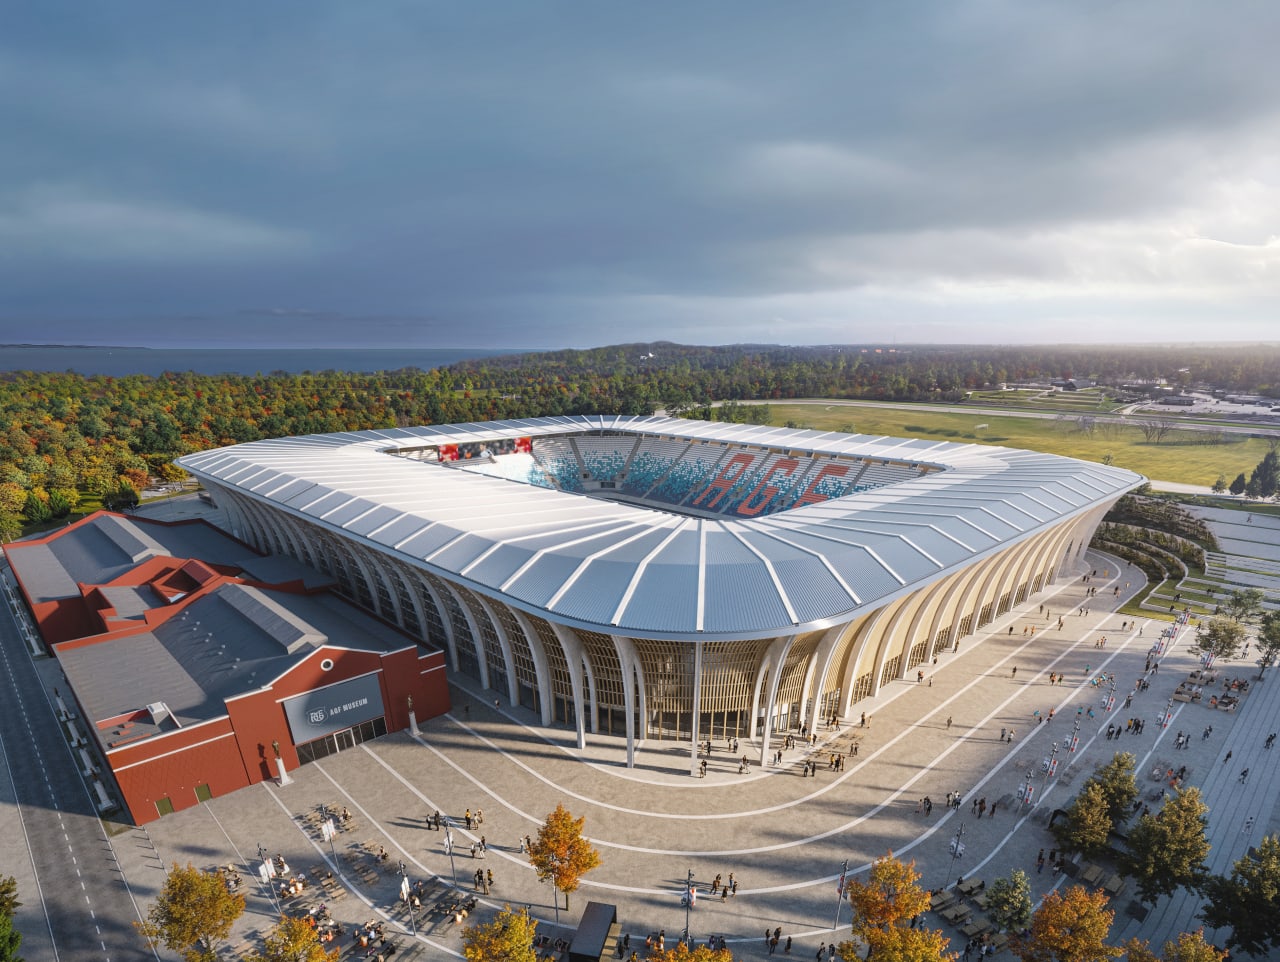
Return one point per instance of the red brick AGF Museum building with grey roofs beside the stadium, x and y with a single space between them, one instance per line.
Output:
193 661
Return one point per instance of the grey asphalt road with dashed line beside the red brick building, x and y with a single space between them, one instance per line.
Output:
77 906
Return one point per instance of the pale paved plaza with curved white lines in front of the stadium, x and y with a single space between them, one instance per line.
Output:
781 835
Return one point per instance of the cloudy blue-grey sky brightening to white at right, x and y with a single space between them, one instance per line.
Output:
574 175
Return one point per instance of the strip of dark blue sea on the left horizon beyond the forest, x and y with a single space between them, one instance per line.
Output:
120 363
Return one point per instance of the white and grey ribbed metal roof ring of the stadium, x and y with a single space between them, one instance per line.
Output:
647 571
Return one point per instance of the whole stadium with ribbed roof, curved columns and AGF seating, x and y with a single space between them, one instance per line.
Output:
660 579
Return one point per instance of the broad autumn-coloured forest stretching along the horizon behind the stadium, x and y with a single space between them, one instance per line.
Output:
72 439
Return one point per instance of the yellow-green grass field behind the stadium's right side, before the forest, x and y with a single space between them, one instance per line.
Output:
1183 457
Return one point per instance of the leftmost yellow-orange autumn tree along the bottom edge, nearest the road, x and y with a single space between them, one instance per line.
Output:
193 915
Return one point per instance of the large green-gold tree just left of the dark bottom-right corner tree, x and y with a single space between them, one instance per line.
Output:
1167 851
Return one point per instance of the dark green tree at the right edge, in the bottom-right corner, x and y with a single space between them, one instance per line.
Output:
1249 901
